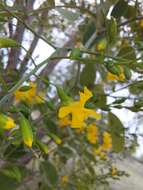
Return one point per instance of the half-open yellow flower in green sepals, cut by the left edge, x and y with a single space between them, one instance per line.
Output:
6 122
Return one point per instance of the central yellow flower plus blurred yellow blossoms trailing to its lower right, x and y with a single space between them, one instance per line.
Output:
75 115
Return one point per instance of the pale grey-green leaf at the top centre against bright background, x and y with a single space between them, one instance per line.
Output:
70 15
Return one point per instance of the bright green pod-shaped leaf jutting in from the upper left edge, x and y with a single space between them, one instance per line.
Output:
7 42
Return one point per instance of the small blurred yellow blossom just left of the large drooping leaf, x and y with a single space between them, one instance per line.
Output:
107 141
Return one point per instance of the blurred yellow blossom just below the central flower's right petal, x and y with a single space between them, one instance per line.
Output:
92 134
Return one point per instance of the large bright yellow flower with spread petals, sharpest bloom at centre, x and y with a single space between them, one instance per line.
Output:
77 110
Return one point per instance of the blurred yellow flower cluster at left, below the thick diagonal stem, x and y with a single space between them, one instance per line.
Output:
31 95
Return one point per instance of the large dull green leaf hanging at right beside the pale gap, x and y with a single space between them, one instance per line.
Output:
117 132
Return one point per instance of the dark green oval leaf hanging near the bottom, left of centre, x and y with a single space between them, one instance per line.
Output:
50 172
